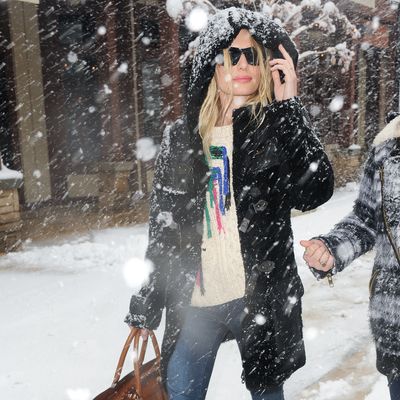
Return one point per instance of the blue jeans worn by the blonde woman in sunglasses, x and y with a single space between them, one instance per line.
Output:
191 364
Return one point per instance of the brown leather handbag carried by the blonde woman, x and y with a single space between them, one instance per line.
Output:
144 382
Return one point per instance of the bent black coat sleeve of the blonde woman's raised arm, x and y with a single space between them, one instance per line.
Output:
311 180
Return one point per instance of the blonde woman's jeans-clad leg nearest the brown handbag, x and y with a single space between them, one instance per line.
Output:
190 366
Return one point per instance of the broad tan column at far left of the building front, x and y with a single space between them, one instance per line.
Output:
30 100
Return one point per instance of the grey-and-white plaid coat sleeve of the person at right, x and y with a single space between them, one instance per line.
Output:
355 234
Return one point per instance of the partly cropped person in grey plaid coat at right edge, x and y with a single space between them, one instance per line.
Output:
374 221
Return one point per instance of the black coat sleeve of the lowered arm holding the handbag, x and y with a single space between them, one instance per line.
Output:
146 307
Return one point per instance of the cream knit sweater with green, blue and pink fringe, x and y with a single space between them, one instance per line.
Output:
222 263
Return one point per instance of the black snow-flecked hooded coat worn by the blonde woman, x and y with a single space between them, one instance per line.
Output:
277 166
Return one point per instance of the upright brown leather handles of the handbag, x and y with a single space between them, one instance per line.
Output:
134 335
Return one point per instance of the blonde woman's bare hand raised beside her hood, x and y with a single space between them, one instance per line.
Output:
288 89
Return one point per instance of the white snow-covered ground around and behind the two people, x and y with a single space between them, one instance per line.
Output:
62 309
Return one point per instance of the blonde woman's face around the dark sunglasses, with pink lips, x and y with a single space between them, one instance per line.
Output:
243 79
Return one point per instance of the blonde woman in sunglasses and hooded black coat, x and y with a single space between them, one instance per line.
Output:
226 178
